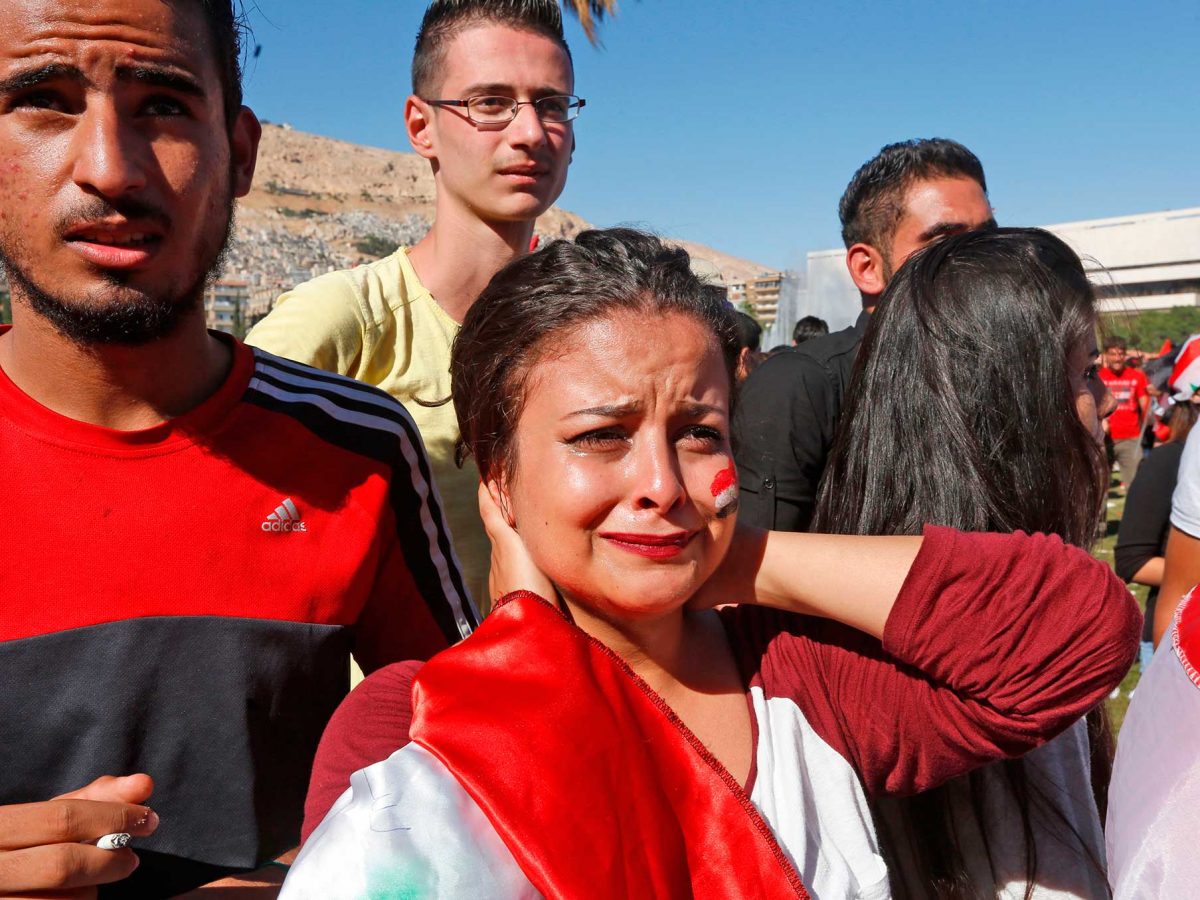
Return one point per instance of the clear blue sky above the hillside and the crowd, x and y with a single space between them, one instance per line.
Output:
739 124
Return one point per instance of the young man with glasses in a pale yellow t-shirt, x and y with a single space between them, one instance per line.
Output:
491 110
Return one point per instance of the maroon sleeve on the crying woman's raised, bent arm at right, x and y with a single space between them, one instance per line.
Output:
995 645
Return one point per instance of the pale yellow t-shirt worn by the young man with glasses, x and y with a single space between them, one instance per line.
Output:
379 325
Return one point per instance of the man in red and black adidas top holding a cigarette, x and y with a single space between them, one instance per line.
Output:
196 536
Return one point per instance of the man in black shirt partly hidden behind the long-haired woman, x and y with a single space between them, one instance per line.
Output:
909 196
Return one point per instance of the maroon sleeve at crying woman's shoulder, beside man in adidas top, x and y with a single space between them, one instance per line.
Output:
369 727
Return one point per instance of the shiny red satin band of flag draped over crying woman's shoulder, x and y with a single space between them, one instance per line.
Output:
590 779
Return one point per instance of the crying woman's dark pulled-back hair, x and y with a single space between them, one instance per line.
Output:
531 308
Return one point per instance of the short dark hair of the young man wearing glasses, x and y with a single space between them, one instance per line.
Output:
446 19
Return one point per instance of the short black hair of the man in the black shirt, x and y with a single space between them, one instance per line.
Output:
874 202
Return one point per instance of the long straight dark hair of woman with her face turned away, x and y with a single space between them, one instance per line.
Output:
962 413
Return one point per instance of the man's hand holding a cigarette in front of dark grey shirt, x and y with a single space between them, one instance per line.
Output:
75 842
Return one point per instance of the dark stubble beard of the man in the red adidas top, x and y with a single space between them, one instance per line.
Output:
133 321
